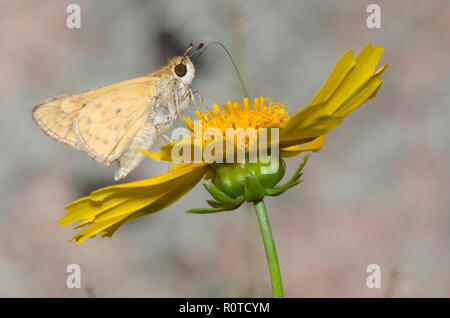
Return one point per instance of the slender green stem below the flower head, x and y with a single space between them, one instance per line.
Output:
269 246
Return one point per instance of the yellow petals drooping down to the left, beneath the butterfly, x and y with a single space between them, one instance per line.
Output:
118 204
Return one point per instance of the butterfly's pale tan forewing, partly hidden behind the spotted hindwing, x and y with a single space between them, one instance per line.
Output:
56 116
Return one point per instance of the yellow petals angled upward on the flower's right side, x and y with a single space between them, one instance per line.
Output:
351 83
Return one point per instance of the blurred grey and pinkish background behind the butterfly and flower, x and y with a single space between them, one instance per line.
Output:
378 191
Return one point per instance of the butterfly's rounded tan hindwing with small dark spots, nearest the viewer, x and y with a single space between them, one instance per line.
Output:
106 124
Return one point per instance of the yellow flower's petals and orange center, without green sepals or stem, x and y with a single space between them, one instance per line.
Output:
352 82
